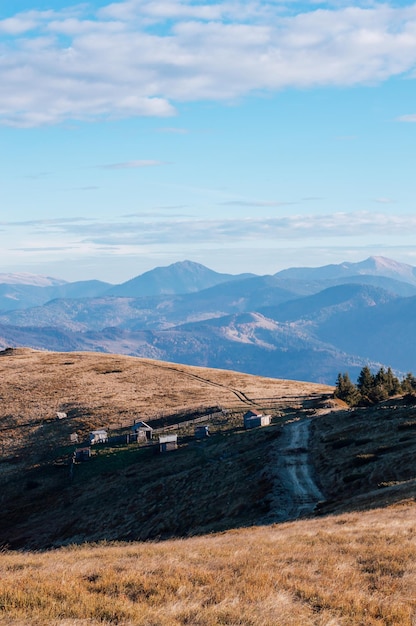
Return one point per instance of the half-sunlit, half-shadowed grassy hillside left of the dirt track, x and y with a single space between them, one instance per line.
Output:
126 491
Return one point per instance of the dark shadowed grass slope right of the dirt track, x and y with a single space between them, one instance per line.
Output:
366 457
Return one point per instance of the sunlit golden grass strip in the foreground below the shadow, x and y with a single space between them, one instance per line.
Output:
349 570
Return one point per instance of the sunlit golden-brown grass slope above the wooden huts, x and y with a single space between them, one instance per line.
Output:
102 389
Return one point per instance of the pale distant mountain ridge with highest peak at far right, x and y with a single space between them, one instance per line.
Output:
373 266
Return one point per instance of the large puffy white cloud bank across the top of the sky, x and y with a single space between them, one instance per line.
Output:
137 58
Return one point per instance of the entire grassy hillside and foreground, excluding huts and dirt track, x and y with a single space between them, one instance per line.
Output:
78 553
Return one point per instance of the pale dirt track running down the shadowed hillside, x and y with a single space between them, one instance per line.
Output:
295 492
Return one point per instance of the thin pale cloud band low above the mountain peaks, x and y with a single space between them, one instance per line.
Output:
158 228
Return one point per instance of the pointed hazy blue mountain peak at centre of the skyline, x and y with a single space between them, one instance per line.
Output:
178 278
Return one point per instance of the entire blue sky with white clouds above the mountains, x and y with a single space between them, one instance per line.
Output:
249 136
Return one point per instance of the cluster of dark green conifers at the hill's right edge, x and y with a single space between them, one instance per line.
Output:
372 388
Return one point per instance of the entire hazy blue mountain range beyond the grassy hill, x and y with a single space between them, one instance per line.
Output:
301 323
